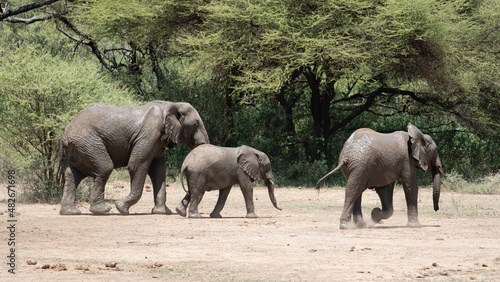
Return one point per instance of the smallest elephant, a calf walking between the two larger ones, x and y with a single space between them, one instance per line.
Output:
209 167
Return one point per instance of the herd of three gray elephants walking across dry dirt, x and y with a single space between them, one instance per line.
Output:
103 137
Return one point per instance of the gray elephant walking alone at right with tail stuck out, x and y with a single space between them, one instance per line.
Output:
374 160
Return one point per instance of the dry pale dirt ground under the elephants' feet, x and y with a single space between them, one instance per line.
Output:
302 242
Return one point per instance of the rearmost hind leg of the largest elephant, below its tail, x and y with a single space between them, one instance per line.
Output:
72 178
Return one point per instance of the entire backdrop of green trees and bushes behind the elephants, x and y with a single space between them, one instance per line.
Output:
286 77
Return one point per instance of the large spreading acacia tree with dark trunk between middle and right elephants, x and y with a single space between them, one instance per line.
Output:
350 57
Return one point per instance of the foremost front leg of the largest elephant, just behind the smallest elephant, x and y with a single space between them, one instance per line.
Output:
157 172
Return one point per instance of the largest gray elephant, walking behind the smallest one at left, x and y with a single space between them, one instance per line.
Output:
102 137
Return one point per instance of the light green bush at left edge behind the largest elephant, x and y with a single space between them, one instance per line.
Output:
39 95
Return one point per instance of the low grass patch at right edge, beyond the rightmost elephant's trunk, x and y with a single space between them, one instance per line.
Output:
457 183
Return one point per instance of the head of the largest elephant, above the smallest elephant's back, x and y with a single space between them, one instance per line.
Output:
184 125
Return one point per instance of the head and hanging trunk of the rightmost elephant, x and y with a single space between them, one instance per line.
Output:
424 151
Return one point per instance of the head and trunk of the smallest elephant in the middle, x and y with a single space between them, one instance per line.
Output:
257 165
